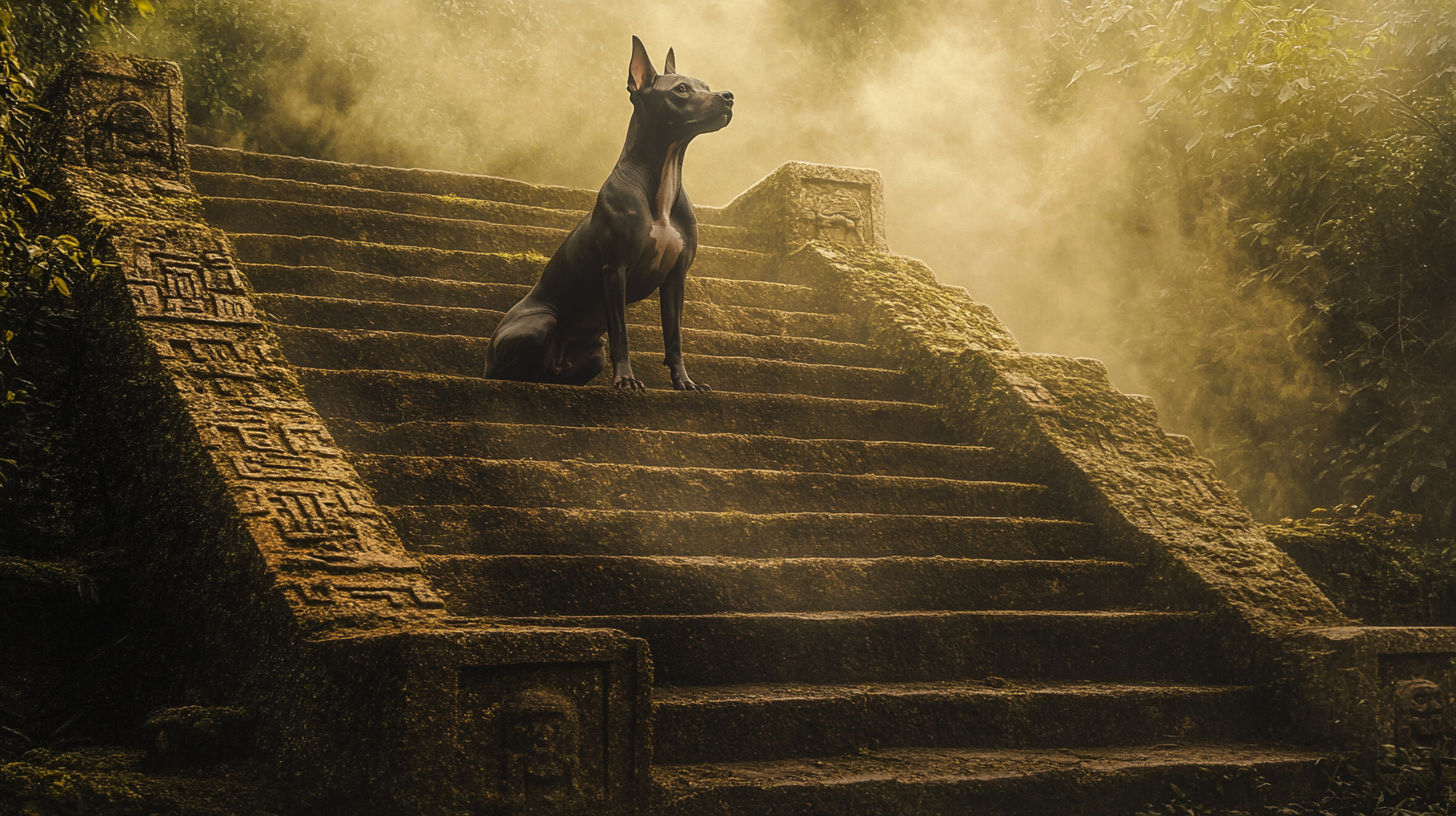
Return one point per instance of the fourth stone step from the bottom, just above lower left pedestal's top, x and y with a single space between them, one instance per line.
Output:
660 585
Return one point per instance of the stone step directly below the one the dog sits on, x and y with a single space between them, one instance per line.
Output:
670 450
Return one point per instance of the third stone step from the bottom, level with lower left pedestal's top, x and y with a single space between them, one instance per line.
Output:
870 648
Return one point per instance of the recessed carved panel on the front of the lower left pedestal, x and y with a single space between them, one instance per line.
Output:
537 737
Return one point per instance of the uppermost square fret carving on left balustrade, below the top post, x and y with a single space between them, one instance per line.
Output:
187 280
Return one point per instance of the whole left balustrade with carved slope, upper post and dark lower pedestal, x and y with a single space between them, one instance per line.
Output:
269 578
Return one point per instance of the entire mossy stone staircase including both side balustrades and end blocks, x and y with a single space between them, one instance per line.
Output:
834 560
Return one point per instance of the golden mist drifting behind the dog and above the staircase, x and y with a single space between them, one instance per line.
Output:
1039 209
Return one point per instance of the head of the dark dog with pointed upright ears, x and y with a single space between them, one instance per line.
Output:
682 106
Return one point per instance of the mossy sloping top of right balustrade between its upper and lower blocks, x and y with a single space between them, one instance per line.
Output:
1157 499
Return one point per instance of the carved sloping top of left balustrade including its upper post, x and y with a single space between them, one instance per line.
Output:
304 505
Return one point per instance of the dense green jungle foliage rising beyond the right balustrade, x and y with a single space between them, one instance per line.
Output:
1307 155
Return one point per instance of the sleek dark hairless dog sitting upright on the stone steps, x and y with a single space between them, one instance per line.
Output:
640 238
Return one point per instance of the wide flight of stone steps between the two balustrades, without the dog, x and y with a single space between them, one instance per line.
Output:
851 608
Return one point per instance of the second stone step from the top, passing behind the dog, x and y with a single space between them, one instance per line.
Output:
245 187
